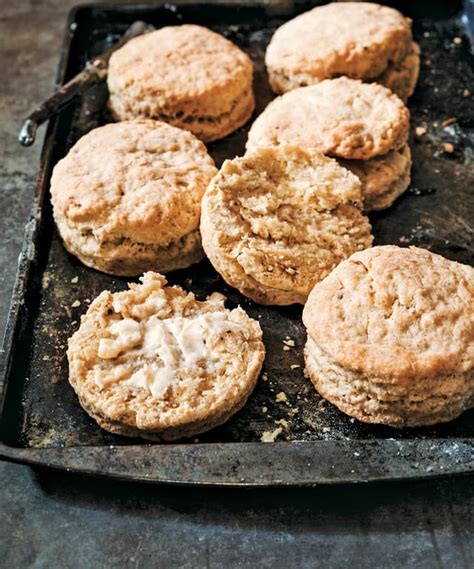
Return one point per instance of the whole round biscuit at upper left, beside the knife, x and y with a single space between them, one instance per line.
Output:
187 76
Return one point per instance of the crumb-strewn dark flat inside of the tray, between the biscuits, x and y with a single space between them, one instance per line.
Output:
41 410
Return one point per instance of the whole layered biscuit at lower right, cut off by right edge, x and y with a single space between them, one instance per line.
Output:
391 337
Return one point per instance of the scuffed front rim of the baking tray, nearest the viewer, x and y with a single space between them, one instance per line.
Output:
260 464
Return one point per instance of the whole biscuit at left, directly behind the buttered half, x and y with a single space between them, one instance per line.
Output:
127 197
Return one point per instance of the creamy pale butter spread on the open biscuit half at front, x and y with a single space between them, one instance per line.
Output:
176 343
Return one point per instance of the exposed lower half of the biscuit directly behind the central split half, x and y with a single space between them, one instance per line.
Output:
383 178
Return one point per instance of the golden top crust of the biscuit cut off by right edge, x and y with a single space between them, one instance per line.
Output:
395 312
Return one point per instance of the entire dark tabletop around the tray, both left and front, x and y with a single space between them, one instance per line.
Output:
62 520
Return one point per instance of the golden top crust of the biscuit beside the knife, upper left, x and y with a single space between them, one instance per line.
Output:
179 64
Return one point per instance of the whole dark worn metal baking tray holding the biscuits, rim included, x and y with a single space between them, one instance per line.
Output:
41 421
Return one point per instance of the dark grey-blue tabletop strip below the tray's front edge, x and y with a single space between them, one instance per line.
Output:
51 520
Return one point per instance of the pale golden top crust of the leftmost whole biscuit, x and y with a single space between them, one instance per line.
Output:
141 180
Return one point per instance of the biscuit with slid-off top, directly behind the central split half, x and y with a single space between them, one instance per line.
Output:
304 117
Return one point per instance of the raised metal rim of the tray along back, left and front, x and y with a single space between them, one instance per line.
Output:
155 462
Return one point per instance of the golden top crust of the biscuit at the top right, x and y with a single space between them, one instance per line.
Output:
357 39
